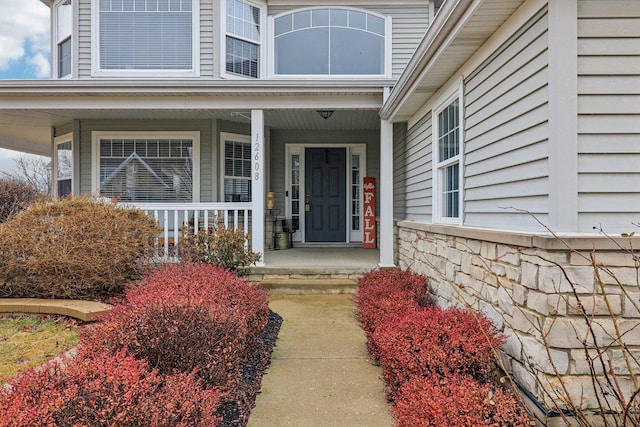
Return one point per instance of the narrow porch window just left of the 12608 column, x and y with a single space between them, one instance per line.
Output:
237 167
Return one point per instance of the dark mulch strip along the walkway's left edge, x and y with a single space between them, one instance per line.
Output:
236 413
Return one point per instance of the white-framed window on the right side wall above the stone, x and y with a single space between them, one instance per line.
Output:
448 165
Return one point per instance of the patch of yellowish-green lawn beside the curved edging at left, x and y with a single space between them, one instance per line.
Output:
31 340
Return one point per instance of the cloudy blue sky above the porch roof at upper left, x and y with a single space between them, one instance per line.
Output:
23 21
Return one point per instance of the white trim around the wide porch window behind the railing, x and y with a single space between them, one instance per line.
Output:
96 136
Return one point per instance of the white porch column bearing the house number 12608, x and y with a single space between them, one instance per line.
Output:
257 186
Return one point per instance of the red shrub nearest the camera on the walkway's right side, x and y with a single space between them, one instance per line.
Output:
456 401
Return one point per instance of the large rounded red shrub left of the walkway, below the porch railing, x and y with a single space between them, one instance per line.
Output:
184 317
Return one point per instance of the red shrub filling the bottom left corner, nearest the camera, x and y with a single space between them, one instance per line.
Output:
105 390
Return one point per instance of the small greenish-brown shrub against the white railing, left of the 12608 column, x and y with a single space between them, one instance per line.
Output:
222 247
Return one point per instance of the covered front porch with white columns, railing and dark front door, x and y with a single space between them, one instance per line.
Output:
278 122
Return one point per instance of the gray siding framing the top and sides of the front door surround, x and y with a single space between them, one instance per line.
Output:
279 139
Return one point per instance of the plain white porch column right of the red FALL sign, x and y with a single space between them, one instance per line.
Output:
386 194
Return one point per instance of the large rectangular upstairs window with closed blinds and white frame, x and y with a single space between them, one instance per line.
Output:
137 36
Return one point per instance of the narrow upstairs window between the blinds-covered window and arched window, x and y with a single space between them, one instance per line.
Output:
243 29
